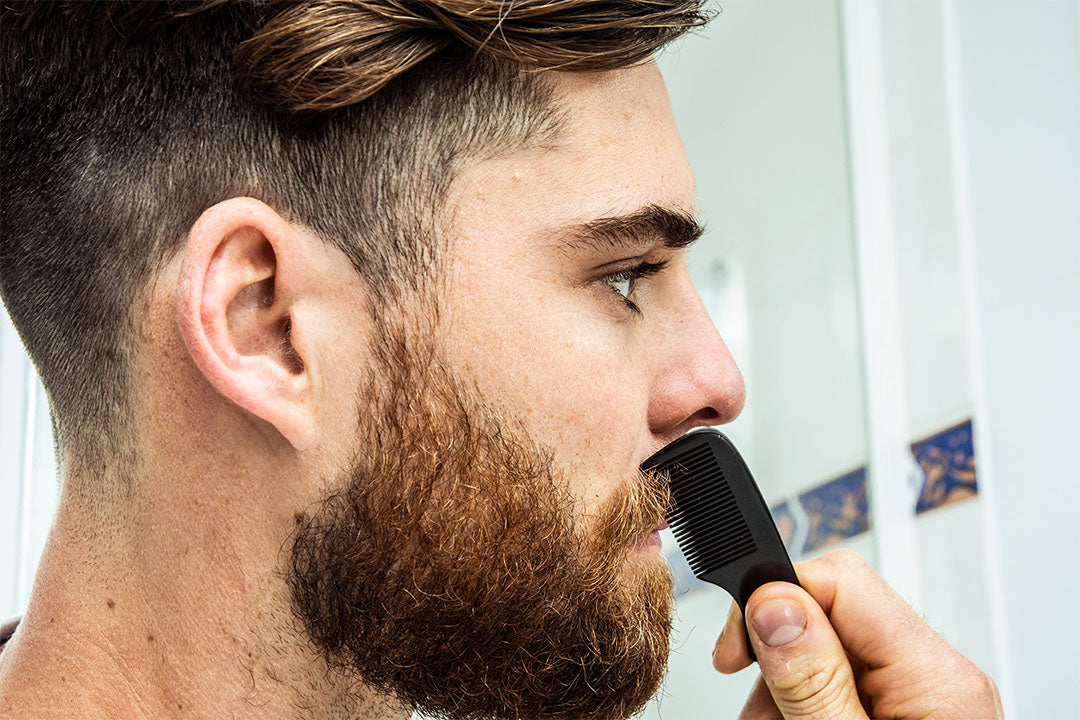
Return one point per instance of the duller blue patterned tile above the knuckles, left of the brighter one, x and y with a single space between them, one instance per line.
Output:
836 510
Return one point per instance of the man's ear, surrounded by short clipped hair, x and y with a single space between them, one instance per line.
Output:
237 305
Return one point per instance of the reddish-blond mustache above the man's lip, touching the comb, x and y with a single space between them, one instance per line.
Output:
633 511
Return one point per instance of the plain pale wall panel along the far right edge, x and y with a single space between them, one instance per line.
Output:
1016 69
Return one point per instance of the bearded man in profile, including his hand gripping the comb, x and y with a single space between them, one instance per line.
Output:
357 321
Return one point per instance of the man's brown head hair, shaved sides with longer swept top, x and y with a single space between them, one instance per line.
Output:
123 121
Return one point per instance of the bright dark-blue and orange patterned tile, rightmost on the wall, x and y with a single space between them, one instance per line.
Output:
949 465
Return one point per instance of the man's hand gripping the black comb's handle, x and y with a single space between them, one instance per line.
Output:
848 646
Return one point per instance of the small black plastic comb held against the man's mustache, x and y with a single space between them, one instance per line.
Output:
720 518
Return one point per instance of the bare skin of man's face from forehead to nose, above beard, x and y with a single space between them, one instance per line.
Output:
533 315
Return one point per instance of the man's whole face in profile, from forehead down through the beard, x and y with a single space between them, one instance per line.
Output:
491 551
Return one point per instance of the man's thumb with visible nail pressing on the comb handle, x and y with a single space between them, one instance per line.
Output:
803 662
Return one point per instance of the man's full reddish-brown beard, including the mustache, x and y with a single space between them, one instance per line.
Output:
451 572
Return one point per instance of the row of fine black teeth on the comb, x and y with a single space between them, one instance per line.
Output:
705 517
